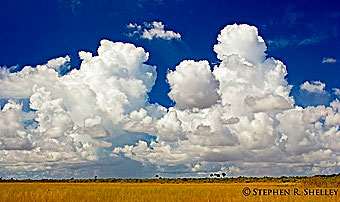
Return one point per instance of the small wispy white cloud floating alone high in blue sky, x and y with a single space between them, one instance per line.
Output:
152 30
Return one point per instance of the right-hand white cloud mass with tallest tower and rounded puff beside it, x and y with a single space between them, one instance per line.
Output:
252 127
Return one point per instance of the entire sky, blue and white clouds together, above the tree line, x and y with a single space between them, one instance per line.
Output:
304 35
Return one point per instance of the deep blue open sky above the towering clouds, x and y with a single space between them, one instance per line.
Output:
301 33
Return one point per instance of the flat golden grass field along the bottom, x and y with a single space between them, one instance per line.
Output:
129 192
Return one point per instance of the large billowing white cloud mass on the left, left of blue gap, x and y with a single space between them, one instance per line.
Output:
72 116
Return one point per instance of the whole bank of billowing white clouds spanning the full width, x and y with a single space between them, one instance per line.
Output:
237 117
